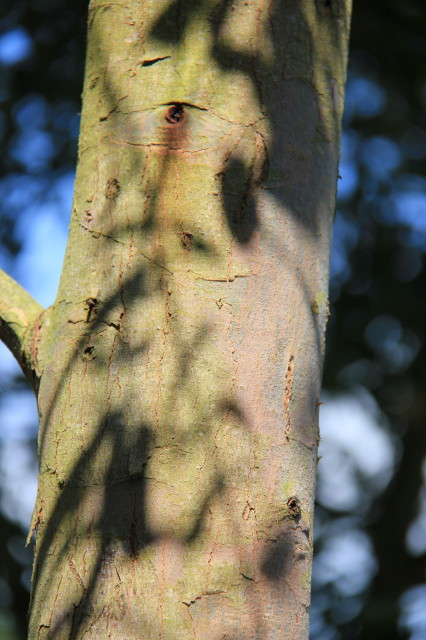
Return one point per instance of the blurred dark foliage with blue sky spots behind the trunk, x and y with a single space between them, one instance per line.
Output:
369 575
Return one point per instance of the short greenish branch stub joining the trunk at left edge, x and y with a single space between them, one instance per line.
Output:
18 313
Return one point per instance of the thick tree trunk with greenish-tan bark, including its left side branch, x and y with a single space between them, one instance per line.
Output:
178 372
